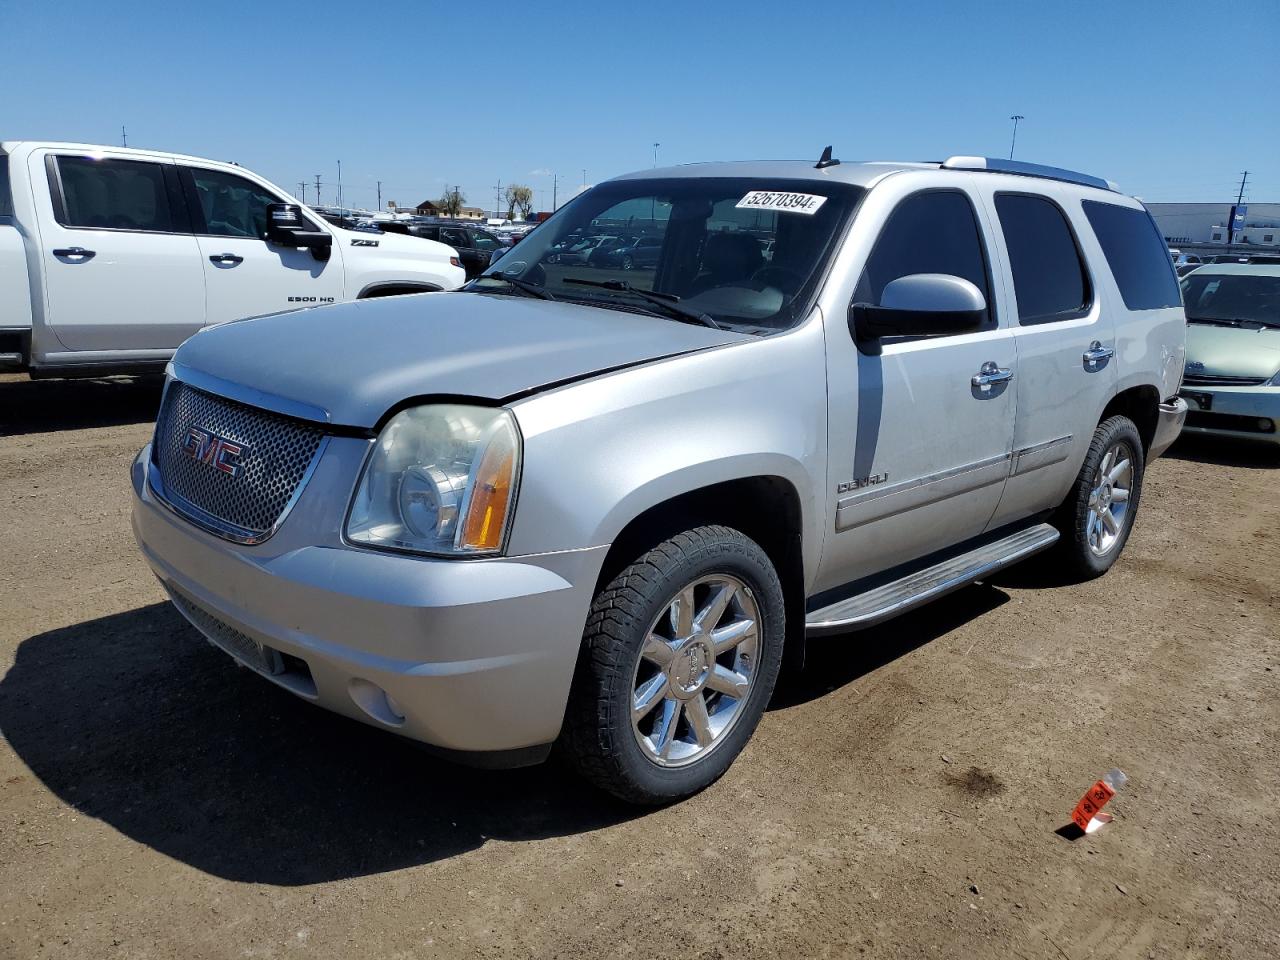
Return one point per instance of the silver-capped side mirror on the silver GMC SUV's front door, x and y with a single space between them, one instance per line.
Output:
920 305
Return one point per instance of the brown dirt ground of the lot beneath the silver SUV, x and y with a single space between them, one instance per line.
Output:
899 801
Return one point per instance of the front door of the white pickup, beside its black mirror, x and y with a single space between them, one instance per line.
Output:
245 276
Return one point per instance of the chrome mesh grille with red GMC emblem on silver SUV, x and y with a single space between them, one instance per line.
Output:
246 506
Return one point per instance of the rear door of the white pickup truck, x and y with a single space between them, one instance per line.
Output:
122 269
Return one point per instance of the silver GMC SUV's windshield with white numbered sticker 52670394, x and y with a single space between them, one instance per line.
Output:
748 253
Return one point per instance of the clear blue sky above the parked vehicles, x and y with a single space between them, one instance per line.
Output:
1150 94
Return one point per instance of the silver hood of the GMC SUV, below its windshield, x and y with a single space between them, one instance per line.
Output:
355 362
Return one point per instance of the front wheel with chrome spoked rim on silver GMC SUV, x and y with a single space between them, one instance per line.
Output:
679 660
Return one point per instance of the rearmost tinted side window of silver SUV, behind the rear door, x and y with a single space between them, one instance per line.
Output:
1137 255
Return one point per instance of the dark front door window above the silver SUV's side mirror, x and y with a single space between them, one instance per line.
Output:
927 234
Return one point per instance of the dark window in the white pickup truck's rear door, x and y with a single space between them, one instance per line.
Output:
122 195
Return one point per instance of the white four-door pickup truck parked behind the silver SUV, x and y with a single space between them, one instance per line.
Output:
111 258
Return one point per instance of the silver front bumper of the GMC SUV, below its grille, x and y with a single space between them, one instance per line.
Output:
472 657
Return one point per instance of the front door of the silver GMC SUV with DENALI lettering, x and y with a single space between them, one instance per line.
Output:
921 429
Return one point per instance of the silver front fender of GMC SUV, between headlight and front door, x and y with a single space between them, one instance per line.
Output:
601 452
